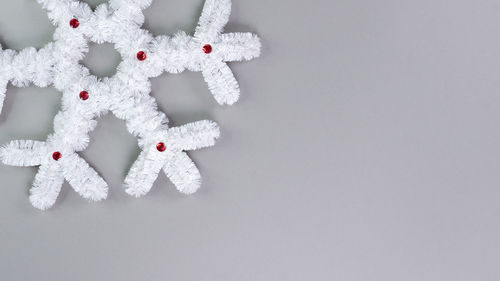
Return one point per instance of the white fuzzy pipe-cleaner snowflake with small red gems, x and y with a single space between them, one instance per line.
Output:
126 94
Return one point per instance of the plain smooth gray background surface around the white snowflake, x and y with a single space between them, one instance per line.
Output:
365 147
